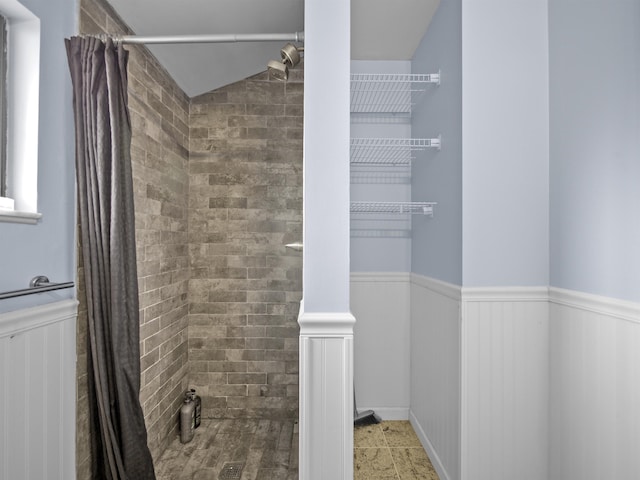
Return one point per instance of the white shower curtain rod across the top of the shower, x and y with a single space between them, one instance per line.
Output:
213 38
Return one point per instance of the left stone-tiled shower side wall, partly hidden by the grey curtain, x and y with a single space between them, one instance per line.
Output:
159 116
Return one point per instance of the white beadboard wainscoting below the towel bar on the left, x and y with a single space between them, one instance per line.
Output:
37 392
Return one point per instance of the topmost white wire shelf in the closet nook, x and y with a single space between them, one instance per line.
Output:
388 93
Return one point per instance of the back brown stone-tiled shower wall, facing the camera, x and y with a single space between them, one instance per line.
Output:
245 204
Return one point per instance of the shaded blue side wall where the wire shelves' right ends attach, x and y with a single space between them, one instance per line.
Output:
437 176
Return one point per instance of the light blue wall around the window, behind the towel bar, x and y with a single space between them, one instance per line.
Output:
48 247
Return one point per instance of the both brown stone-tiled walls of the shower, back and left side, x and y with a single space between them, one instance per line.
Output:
218 194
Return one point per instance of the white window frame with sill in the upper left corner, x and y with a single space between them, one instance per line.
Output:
23 89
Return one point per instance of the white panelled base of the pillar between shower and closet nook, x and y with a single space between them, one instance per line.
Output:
326 396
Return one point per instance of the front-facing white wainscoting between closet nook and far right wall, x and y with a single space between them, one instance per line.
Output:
505 383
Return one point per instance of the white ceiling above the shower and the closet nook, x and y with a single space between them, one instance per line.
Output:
381 30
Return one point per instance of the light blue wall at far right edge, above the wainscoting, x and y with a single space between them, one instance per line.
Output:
595 146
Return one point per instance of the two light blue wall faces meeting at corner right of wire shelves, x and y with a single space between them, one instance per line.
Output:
491 178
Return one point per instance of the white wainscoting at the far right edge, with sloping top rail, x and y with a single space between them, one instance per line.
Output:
595 387
